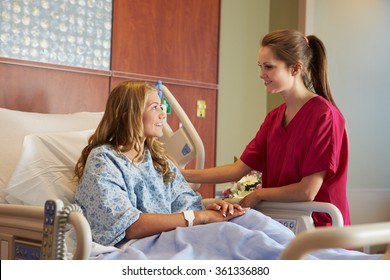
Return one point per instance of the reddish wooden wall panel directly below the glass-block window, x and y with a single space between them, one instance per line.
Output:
46 88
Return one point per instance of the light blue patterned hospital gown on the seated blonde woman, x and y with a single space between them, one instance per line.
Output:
113 192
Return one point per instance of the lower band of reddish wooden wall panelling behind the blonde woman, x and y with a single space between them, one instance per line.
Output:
47 88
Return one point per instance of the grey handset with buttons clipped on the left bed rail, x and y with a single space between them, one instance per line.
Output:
50 229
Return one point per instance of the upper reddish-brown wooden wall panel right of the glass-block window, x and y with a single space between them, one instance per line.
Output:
167 38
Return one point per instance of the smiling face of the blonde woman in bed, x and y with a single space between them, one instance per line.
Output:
153 116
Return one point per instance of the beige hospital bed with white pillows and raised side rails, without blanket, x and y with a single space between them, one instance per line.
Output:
40 187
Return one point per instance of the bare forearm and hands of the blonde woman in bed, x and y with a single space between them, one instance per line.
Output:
150 224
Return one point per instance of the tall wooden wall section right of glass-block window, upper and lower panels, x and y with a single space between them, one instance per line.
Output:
177 42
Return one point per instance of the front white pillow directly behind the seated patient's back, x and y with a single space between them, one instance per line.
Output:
46 167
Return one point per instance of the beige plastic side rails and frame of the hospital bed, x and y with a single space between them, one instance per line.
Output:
22 226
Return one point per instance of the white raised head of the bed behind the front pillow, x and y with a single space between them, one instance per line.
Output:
14 125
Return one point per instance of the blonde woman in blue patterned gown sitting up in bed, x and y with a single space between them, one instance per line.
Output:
129 189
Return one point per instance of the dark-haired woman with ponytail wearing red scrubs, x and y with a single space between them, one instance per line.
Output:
301 148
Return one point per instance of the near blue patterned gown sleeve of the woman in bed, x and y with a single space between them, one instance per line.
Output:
104 199
